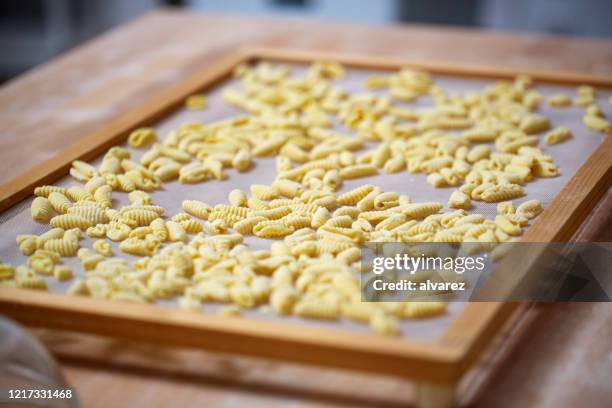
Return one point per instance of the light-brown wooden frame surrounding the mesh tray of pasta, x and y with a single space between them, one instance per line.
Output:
438 366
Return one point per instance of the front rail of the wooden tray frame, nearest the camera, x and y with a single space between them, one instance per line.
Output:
169 326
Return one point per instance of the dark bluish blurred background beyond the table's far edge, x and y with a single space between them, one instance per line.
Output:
32 31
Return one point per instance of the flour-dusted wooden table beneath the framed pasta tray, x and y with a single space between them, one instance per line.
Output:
563 359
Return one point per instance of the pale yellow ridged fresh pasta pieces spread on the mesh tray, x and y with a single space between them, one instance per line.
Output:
484 144
